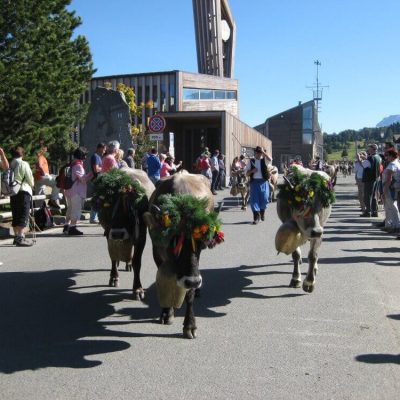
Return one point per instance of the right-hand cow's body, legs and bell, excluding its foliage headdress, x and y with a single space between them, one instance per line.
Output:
302 224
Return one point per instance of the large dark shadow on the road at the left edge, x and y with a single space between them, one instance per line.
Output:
44 322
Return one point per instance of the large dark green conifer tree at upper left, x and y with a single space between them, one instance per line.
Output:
43 73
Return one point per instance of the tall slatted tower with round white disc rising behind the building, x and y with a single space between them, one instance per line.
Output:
215 37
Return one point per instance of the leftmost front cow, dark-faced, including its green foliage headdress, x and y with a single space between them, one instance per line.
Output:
121 197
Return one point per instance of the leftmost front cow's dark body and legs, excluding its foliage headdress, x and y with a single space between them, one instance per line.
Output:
125 230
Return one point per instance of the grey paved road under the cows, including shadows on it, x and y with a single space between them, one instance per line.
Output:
64 334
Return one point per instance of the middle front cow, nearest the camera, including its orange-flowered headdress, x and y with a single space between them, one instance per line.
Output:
182 223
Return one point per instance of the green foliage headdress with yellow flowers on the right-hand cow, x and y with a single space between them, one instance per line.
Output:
300 190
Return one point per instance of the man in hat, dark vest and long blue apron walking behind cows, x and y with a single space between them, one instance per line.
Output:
259 188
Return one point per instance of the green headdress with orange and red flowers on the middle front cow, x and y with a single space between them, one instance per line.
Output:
185 216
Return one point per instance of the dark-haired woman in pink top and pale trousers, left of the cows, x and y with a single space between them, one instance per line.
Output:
76 196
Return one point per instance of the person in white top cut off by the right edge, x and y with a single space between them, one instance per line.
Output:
392 217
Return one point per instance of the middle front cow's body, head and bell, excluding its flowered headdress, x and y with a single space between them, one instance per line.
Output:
178 275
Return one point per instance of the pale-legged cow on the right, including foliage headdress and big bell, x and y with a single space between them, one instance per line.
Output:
304 210
